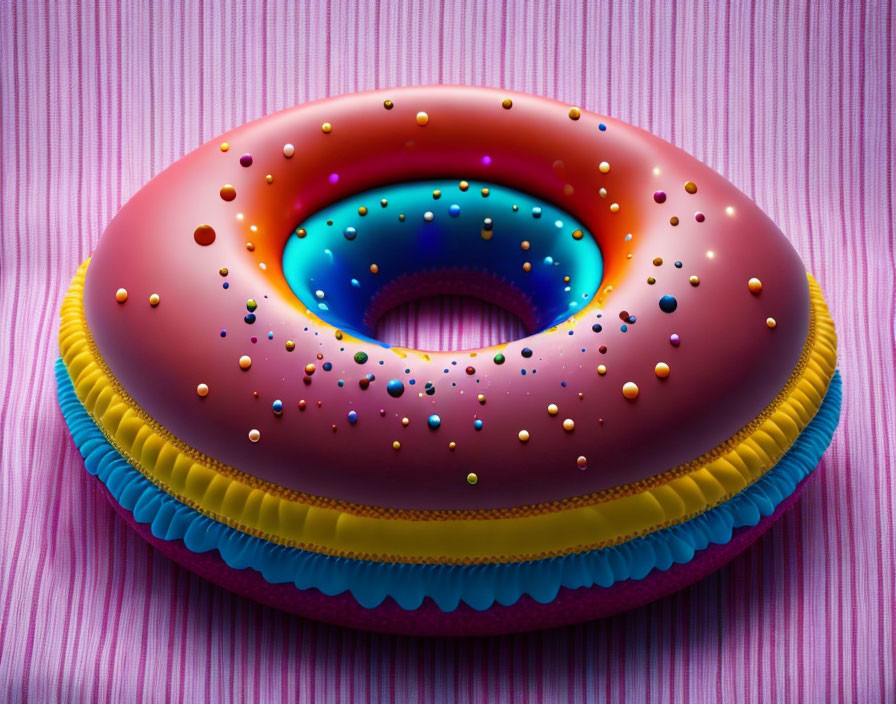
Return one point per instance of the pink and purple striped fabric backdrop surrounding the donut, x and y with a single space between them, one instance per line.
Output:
793 102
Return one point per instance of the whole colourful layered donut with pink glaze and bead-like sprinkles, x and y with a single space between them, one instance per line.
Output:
668 391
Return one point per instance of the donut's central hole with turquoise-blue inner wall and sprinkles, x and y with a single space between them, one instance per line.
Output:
472 254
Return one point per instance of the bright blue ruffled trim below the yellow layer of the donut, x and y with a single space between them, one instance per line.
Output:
479 585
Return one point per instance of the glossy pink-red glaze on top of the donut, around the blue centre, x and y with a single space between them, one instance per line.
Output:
727 369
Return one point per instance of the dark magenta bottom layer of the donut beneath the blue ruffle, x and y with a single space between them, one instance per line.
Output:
570 606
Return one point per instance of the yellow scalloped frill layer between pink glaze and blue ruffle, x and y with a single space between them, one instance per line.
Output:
465 537
